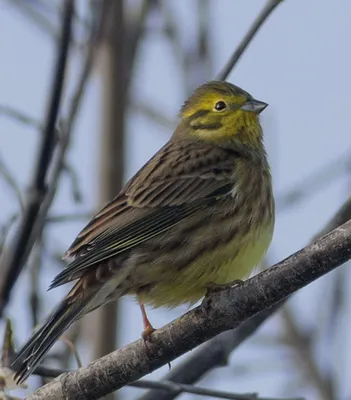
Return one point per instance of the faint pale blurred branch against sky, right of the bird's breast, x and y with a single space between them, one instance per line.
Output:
311 184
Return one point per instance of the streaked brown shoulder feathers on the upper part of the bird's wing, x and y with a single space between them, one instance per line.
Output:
180 173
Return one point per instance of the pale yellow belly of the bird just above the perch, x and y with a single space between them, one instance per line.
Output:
170 286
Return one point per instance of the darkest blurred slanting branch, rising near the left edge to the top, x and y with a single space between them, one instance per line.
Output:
24 239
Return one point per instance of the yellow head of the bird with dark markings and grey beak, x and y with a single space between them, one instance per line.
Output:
221 112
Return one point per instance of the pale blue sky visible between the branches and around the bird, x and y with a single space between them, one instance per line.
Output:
299 63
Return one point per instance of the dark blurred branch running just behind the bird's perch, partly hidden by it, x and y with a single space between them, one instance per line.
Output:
215 352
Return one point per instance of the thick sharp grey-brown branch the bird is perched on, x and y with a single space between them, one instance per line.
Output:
221 311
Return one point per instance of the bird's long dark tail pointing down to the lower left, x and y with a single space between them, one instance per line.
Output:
74 305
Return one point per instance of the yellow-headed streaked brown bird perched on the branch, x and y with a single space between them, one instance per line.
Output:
200 212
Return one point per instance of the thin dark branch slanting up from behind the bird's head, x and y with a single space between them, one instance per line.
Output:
247 39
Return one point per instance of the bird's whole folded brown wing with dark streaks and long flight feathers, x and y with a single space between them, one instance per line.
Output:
181 179
